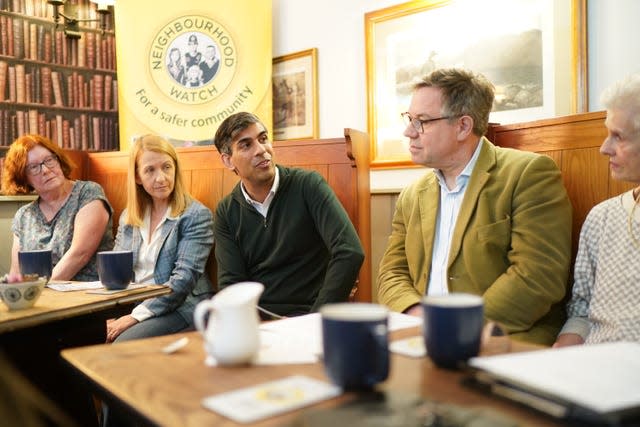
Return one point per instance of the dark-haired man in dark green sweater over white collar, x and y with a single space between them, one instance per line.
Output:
282 227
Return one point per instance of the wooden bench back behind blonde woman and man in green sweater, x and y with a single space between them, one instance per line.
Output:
343 162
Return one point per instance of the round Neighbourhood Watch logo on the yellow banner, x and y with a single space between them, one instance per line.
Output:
192 59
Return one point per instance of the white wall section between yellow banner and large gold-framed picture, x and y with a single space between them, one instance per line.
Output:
336 28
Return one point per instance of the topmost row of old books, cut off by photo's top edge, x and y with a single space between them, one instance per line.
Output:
84 9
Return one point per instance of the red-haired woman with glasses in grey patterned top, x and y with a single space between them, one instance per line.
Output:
72 218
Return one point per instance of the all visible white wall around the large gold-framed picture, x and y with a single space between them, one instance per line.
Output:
336 28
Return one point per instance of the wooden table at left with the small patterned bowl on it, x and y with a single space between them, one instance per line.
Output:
33 338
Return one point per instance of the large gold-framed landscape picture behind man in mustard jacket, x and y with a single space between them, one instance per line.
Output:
533 51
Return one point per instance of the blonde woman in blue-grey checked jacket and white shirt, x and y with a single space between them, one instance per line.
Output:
170 234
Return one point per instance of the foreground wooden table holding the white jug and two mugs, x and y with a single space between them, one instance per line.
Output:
166 390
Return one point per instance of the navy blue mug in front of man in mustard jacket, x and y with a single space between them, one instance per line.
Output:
452 328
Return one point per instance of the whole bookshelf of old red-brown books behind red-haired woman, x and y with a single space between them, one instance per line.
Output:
56 86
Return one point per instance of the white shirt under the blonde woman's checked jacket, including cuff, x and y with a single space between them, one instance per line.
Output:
145 265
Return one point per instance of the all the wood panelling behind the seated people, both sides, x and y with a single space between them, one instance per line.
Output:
572 141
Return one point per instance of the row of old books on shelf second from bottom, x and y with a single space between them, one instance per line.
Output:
66 88
